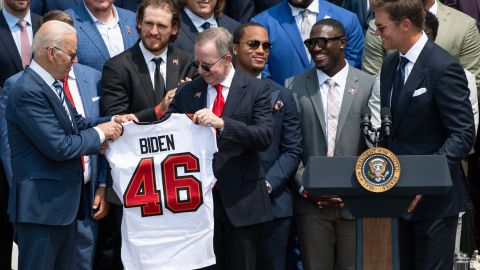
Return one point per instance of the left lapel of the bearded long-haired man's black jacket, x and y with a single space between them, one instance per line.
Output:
138 63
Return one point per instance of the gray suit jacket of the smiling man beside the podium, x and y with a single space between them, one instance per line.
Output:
349 142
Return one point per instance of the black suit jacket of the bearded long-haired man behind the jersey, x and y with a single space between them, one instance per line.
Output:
127 87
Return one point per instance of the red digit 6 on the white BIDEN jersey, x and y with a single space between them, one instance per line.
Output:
182 193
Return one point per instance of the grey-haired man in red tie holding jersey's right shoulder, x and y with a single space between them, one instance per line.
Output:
239 108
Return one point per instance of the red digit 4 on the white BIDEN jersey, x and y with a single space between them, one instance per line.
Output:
141 190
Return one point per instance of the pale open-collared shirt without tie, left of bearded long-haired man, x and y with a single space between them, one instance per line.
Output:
110 32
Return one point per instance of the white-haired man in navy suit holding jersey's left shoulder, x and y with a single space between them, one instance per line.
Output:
47 138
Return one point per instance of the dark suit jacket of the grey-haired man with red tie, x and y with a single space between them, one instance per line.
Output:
247 131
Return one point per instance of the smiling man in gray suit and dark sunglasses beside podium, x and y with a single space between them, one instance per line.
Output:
330 98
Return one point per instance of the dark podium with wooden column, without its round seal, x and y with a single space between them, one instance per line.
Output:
376 213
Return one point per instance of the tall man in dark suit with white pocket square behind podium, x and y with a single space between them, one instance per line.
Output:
427 91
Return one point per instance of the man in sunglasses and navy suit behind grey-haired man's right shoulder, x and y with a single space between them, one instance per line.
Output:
280 161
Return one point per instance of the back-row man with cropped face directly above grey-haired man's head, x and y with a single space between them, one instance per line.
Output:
198 16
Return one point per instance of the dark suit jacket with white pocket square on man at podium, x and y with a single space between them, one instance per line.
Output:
437 119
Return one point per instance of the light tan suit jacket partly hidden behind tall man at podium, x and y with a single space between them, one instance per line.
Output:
457 34
